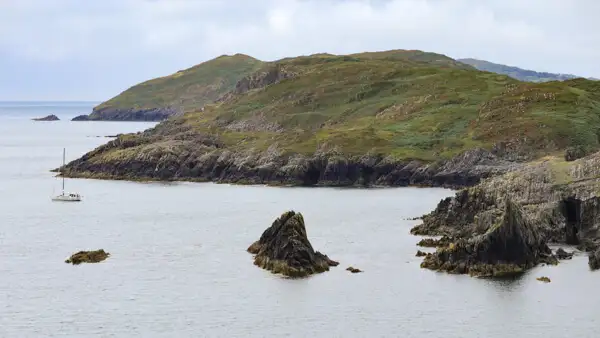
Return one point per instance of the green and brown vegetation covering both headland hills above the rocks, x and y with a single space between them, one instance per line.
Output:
408 104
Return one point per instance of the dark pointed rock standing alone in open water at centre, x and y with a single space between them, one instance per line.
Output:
284 248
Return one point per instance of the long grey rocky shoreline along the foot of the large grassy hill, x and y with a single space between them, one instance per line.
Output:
203 158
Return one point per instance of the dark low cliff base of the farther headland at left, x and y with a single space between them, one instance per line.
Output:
128 114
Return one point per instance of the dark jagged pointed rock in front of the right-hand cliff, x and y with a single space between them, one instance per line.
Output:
511 245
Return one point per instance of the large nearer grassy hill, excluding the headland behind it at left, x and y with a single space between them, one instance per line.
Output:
387 104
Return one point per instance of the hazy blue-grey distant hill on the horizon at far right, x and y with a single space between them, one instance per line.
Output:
516 72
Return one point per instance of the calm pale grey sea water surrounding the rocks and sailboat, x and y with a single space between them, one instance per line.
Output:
179 267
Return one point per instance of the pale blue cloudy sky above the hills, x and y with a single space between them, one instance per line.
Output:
93 50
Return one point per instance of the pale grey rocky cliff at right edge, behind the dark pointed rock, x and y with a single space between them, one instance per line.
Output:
560 196
